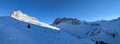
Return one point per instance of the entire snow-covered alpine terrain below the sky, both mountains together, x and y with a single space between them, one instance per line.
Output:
19 28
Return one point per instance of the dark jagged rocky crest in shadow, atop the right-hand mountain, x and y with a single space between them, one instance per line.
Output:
73 21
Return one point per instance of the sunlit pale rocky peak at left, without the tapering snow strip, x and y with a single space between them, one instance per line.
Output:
21 16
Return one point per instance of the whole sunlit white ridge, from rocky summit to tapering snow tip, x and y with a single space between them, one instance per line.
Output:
23 17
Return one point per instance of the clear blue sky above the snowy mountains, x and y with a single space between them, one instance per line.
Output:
48 10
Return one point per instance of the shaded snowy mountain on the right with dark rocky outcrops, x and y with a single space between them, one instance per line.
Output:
103 32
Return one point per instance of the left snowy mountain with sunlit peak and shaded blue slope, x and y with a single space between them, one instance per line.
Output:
19 28
